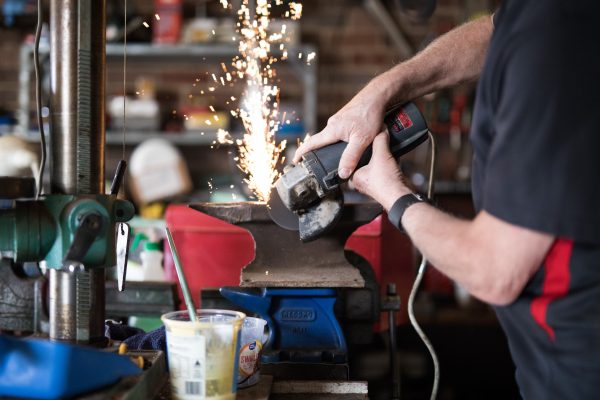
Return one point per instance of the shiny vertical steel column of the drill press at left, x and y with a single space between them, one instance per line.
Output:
77 59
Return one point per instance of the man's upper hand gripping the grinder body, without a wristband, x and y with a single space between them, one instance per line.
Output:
357 123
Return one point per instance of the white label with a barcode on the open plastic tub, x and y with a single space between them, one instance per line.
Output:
187 365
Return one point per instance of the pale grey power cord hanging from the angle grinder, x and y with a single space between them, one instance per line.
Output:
417 283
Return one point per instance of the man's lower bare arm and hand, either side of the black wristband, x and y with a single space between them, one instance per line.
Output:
491 258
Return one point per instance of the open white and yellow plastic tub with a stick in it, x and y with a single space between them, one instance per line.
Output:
203 355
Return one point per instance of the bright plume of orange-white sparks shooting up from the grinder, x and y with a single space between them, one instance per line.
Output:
259 154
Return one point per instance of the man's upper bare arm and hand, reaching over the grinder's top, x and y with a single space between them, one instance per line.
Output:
453 58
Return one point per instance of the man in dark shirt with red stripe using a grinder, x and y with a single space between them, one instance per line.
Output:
533 249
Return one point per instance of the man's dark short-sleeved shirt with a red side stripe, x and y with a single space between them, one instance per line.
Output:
536 138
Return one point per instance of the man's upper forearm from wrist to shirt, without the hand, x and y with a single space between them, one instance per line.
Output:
454 58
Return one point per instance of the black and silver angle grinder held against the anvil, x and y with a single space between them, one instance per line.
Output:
308 197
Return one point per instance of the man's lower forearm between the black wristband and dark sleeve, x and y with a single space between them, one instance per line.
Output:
491 258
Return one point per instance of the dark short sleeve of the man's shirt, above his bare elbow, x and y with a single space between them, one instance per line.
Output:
544 162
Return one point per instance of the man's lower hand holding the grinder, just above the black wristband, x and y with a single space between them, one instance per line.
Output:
381 178
